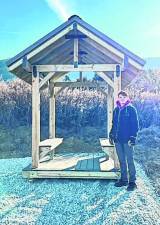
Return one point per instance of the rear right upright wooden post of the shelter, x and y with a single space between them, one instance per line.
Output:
109 109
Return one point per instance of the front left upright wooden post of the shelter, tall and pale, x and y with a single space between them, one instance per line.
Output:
35 117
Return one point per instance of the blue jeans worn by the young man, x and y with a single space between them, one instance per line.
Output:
125 156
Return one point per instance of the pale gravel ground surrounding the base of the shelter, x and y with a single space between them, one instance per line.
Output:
73 202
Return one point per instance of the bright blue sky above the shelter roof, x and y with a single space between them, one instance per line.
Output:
135 24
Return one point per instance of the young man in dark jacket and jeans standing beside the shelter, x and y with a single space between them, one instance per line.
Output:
123 134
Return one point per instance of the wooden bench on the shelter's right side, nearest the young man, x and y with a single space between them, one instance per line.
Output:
110 151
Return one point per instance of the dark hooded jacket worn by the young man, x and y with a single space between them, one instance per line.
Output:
125 123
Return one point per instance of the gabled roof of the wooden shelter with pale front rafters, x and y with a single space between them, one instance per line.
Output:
57 48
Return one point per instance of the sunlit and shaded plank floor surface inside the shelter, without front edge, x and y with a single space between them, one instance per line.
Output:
78 162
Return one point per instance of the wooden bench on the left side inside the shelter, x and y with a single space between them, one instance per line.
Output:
47 148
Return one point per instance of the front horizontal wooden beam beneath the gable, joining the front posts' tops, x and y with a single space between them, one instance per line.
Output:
70 68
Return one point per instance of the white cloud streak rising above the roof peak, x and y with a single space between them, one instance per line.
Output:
60 8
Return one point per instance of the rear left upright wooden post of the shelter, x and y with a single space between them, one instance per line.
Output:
52 122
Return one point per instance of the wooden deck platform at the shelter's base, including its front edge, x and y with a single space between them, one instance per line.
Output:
72 165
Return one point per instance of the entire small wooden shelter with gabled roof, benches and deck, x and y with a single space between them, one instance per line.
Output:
75 46
